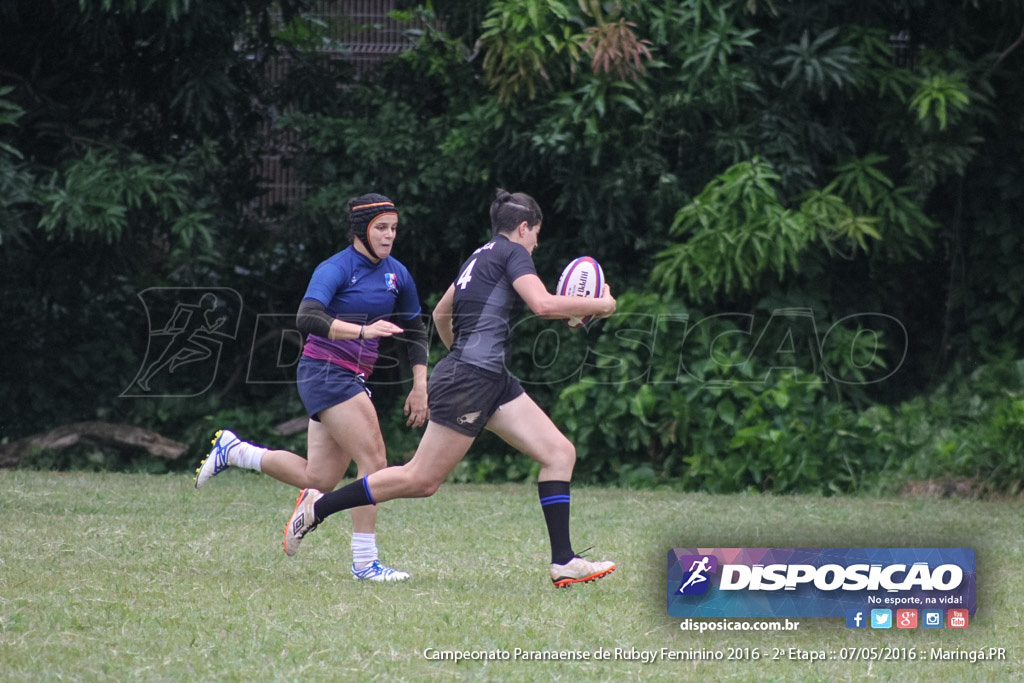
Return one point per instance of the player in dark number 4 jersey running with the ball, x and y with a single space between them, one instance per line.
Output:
473 390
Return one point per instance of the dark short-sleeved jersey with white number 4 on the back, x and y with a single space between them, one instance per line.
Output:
486 302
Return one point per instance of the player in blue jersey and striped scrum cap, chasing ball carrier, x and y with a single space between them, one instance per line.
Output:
345 314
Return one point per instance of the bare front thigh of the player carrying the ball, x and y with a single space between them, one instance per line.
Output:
526 428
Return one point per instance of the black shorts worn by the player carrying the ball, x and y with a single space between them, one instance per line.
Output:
463 398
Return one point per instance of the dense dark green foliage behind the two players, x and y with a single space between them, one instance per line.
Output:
833 187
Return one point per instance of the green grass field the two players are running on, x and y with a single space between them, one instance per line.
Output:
116 577
